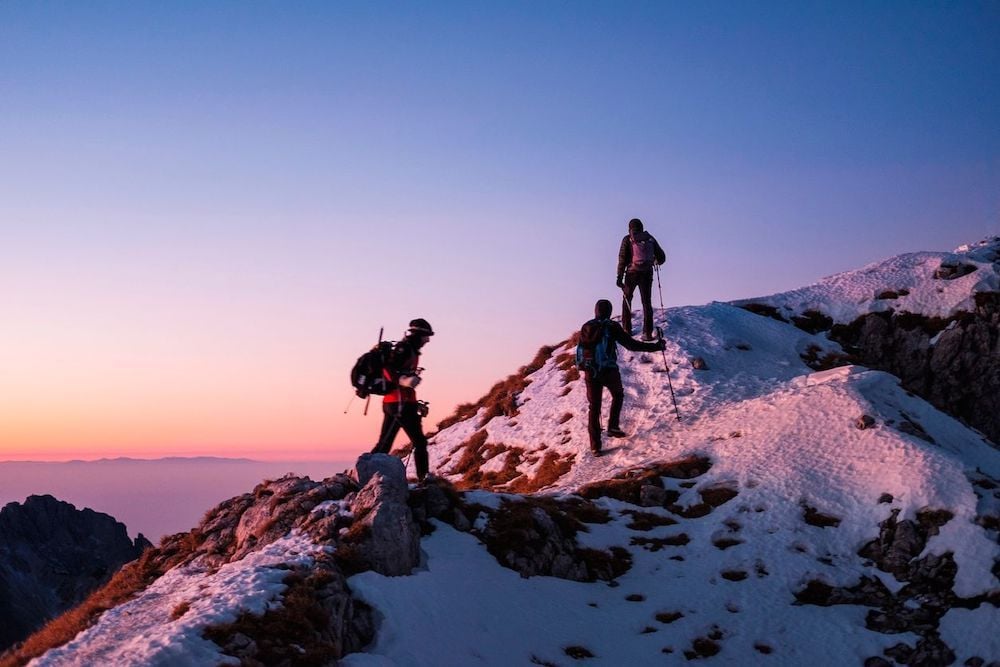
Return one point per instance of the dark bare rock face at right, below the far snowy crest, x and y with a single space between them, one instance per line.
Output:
959 373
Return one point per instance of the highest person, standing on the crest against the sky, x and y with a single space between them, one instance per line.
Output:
637 257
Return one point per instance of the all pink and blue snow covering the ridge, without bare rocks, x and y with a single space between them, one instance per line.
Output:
784 437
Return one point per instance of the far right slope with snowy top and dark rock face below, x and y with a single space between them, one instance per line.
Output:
930 318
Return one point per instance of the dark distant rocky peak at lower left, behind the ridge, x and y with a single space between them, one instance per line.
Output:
52 555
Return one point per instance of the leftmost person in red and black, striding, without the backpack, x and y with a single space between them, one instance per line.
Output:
399 406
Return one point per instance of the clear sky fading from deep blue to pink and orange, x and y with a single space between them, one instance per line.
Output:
207 210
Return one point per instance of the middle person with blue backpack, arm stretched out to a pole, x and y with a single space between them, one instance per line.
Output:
597 355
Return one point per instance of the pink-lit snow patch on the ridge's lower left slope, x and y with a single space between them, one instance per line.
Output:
141 632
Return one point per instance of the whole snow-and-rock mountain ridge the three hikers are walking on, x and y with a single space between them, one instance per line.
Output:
808 507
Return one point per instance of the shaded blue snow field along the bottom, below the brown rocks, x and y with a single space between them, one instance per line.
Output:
464 610
